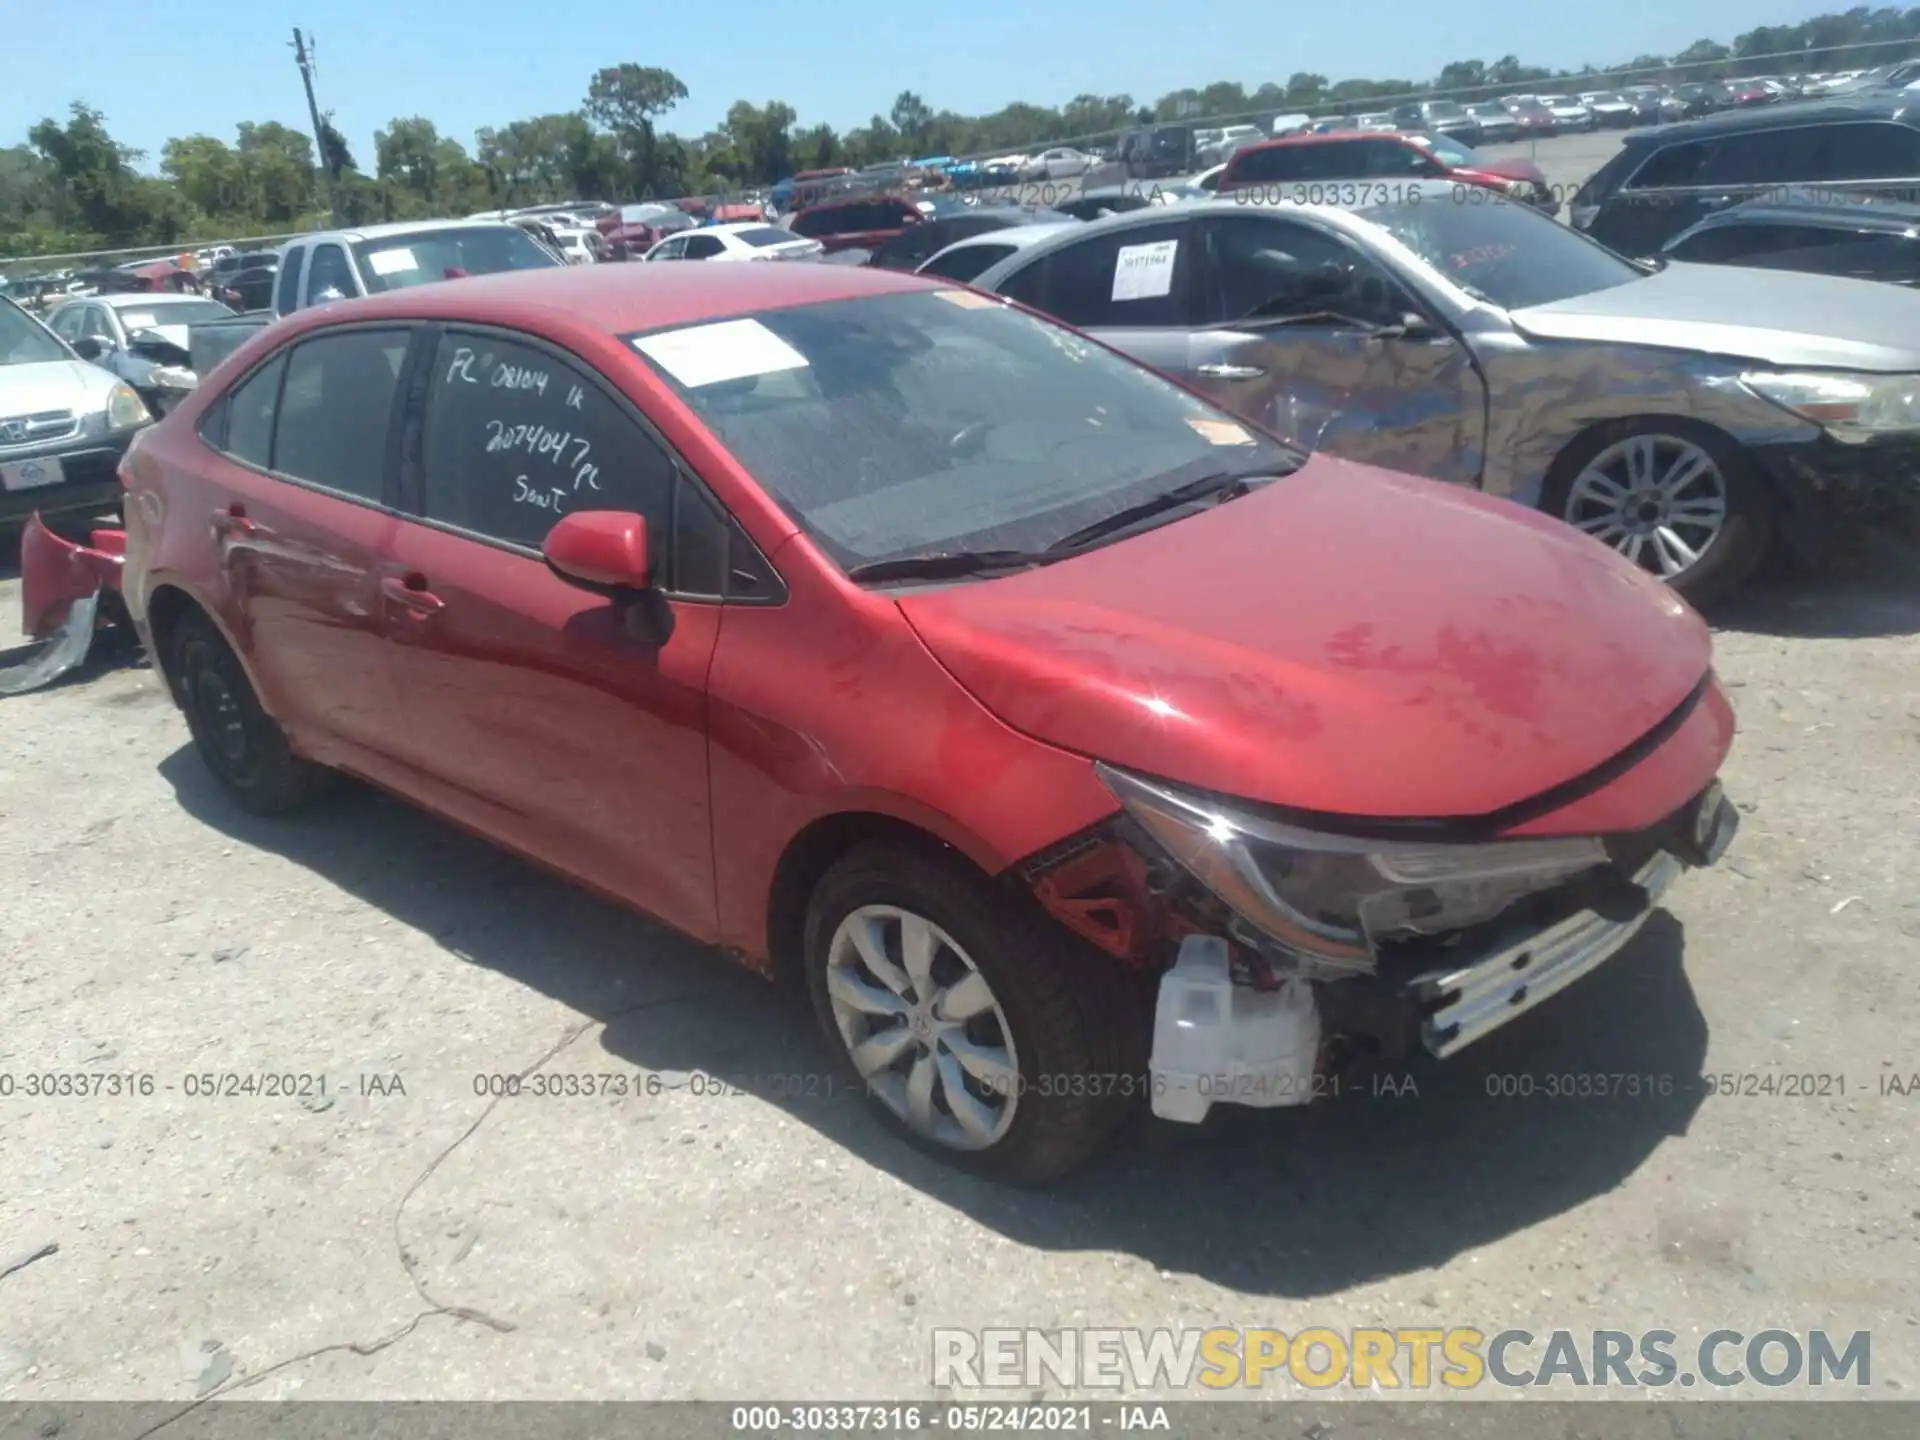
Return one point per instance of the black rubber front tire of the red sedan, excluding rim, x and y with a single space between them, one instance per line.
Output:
1072 1011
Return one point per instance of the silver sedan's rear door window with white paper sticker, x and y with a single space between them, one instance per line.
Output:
1138 277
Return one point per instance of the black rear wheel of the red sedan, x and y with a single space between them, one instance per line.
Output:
241 744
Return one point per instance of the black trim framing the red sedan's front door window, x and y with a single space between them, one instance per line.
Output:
412 477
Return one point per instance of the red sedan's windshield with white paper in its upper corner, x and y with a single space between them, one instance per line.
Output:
944 421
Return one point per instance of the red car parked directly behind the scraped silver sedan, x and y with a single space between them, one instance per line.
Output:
1297 166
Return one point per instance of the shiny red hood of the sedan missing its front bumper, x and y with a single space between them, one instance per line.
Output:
1345 640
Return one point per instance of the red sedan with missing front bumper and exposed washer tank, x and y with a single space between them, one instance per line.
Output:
892 636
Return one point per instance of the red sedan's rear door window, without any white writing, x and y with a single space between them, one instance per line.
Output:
337 410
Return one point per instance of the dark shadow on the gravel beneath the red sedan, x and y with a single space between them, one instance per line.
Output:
1404 1170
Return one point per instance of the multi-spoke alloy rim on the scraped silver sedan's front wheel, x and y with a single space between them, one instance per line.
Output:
1658 500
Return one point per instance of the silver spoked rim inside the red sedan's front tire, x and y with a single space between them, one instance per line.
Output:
923 1026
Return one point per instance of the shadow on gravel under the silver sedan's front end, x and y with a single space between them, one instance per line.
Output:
1869 588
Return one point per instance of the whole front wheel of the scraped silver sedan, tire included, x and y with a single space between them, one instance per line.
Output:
1675 498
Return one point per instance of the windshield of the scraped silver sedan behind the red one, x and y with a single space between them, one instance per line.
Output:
1500 252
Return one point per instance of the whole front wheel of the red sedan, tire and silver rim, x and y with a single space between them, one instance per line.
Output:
976 1026
